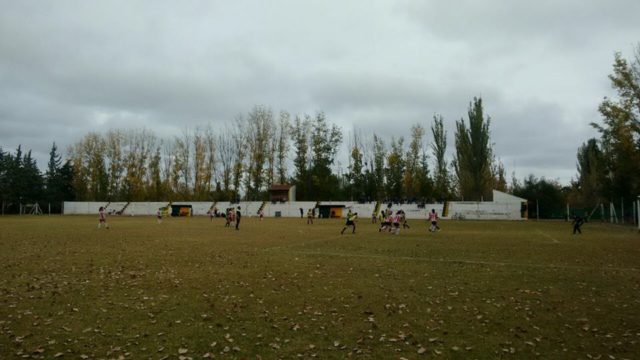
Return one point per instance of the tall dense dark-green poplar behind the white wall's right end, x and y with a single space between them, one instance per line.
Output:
473 159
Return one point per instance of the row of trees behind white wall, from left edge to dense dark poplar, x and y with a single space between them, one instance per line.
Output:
262 148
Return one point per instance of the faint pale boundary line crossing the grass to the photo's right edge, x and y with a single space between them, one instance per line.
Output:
461 261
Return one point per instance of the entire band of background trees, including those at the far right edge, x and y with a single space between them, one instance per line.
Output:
261 148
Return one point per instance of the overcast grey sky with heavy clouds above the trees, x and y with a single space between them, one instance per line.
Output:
68 68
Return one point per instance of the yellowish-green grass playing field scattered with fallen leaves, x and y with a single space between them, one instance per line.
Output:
190 288
